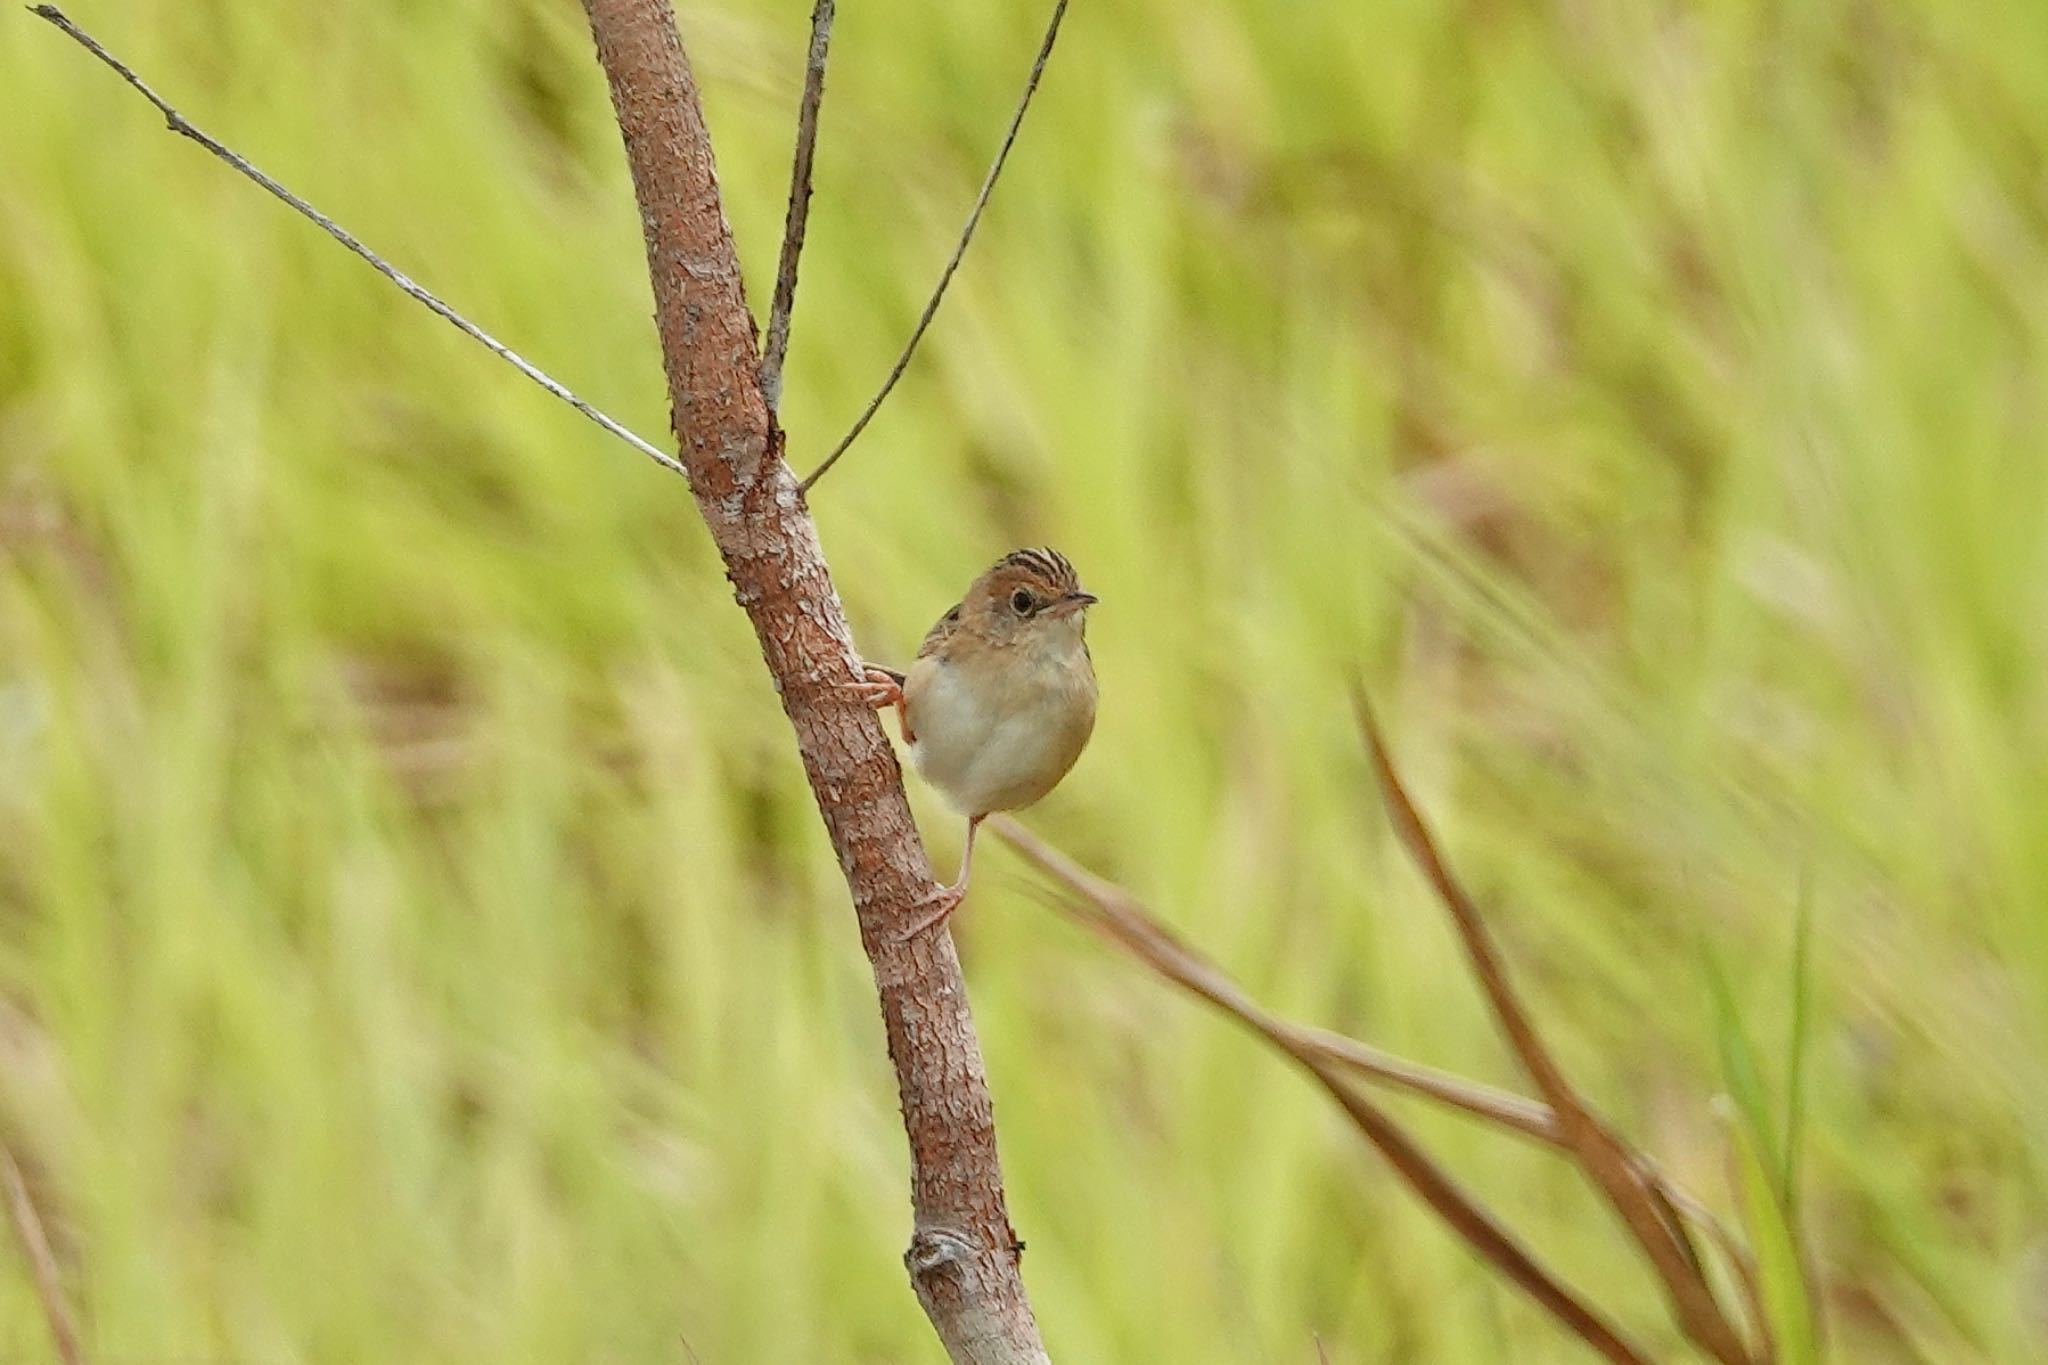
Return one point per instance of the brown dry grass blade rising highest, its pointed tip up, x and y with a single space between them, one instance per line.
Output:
1615 1170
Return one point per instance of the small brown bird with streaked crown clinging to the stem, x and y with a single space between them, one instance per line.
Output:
1002 697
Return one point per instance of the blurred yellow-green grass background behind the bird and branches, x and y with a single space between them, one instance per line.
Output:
417 940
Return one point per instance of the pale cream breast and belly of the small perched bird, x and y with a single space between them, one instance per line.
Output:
998 738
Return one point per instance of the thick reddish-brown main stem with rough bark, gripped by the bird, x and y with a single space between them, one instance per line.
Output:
964 1258
